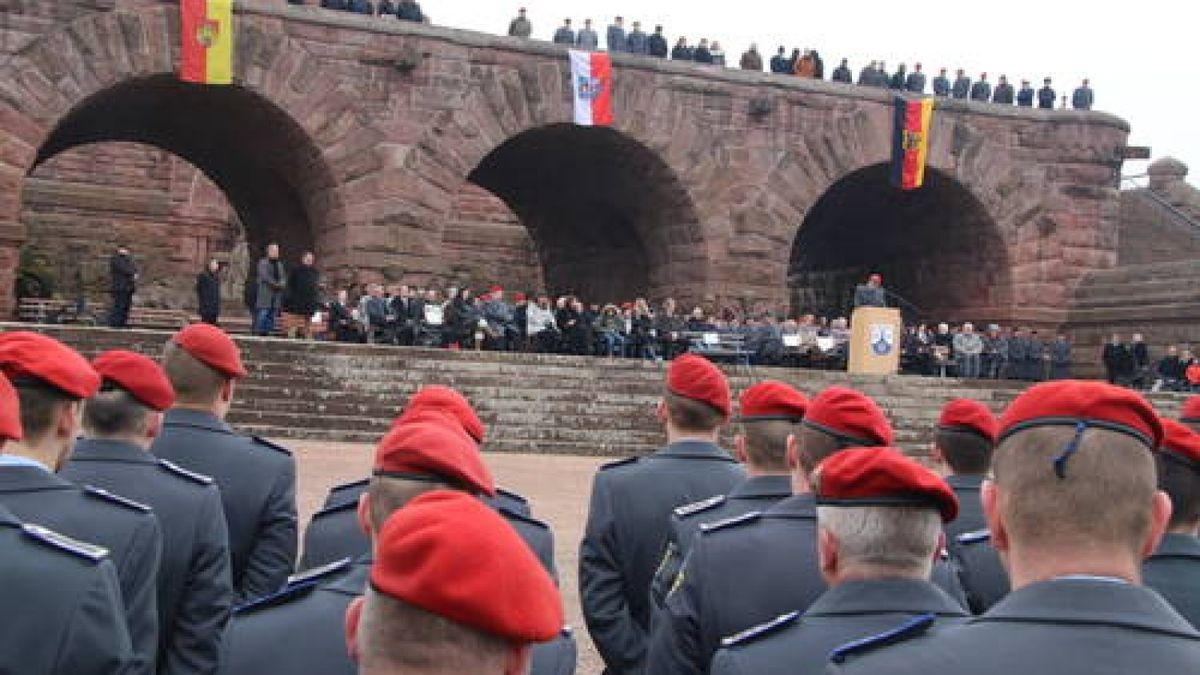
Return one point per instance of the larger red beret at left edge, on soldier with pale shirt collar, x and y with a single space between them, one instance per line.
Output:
33 356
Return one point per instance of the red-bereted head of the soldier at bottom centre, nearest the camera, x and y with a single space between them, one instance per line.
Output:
453 590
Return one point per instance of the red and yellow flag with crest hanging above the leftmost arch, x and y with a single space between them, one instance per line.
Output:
207 34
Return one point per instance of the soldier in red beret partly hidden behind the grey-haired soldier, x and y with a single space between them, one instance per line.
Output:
748 570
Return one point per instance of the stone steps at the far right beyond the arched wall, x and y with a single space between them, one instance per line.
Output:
1161 301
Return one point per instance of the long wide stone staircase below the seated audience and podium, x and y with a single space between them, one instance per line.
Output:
532 404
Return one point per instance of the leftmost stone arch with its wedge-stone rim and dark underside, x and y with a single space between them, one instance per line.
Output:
101 77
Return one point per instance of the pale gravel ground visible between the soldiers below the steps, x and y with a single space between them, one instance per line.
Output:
557 487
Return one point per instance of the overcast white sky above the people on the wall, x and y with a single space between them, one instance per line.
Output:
1135 53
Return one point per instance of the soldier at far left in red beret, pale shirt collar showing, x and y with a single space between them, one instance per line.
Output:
52 381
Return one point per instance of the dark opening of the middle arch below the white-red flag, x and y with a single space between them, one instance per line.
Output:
609 219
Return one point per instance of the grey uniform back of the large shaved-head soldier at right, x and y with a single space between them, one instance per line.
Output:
1071 626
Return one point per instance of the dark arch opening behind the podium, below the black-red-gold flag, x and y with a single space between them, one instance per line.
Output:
938 249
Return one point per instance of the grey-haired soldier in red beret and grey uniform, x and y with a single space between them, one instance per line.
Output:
869 500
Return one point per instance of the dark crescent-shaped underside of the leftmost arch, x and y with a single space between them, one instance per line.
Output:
272 174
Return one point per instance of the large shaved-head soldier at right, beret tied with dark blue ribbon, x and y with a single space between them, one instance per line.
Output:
1073 509
